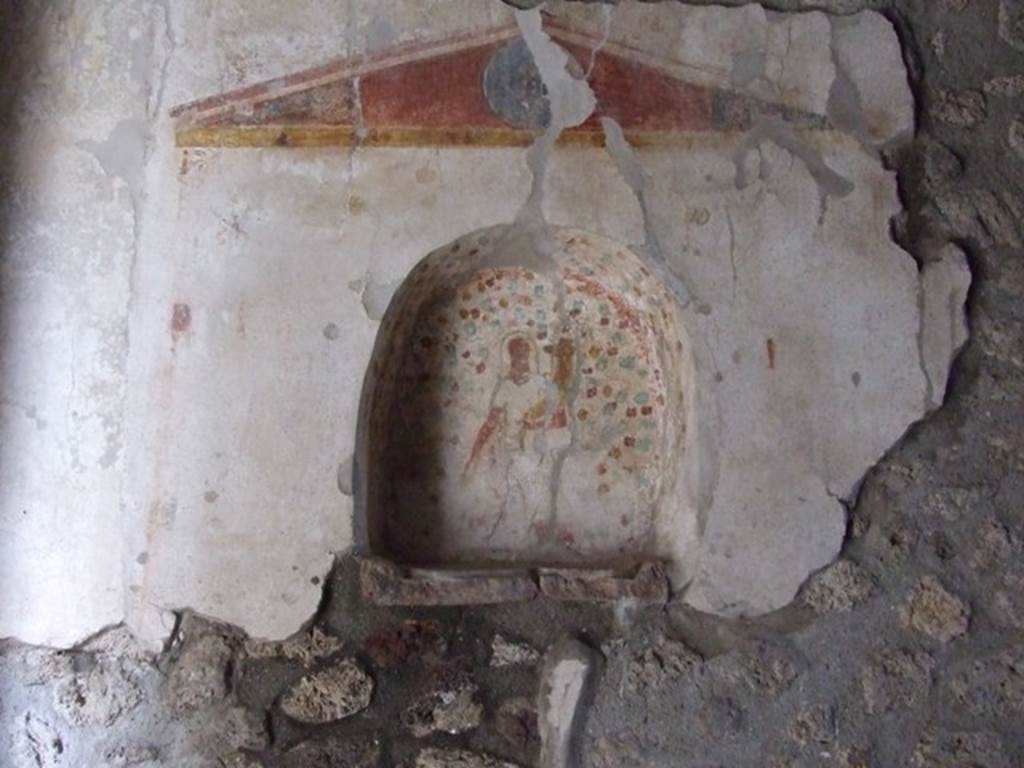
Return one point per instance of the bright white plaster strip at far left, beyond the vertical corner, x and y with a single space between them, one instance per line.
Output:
69 205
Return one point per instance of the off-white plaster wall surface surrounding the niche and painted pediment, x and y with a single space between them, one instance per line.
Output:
147 470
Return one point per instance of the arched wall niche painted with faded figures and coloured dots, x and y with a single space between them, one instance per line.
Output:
525 409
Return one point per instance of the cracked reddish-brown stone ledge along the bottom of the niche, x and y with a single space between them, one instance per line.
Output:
386 583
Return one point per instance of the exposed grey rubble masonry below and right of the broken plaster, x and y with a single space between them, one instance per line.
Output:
909 653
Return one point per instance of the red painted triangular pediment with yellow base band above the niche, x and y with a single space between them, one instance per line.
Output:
477 91
